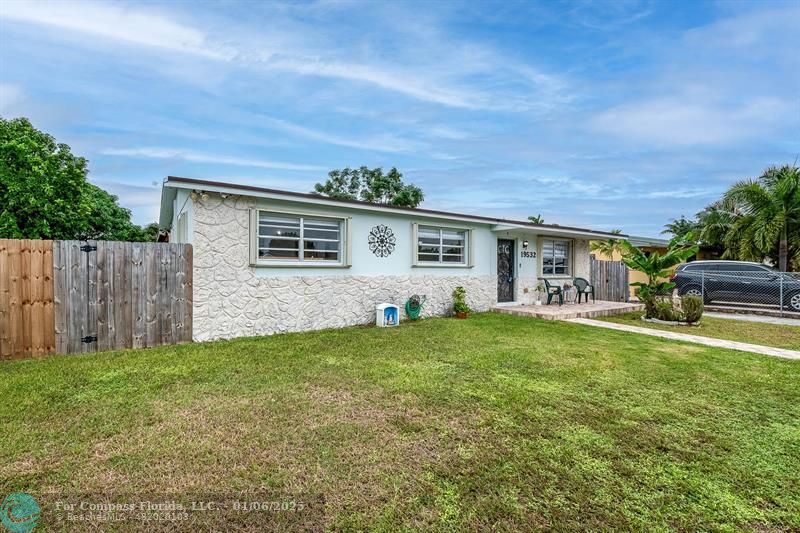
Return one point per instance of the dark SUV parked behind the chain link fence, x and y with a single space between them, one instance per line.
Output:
738 282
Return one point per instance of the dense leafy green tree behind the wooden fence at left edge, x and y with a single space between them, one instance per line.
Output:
45 194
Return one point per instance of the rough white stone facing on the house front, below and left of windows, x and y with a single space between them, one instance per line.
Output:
230 300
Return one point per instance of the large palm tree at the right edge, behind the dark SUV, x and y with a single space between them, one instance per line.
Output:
771 214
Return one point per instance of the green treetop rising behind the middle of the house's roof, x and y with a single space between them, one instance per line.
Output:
370 185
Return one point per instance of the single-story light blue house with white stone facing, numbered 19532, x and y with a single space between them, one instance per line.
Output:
268 261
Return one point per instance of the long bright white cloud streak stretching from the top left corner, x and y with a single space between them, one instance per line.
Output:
423 78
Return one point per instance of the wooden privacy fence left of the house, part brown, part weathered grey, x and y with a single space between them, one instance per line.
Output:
86 296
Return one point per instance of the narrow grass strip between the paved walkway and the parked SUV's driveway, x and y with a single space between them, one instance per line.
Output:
776 335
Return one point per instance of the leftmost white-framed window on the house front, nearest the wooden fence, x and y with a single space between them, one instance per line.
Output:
283 238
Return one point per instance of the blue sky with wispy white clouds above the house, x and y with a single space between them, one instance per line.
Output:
615 114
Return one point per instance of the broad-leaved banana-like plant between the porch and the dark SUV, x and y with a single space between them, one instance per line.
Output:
657 267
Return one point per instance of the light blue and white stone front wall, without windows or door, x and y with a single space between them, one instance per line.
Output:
233 298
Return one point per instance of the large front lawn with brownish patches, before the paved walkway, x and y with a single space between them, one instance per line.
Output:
496 421
